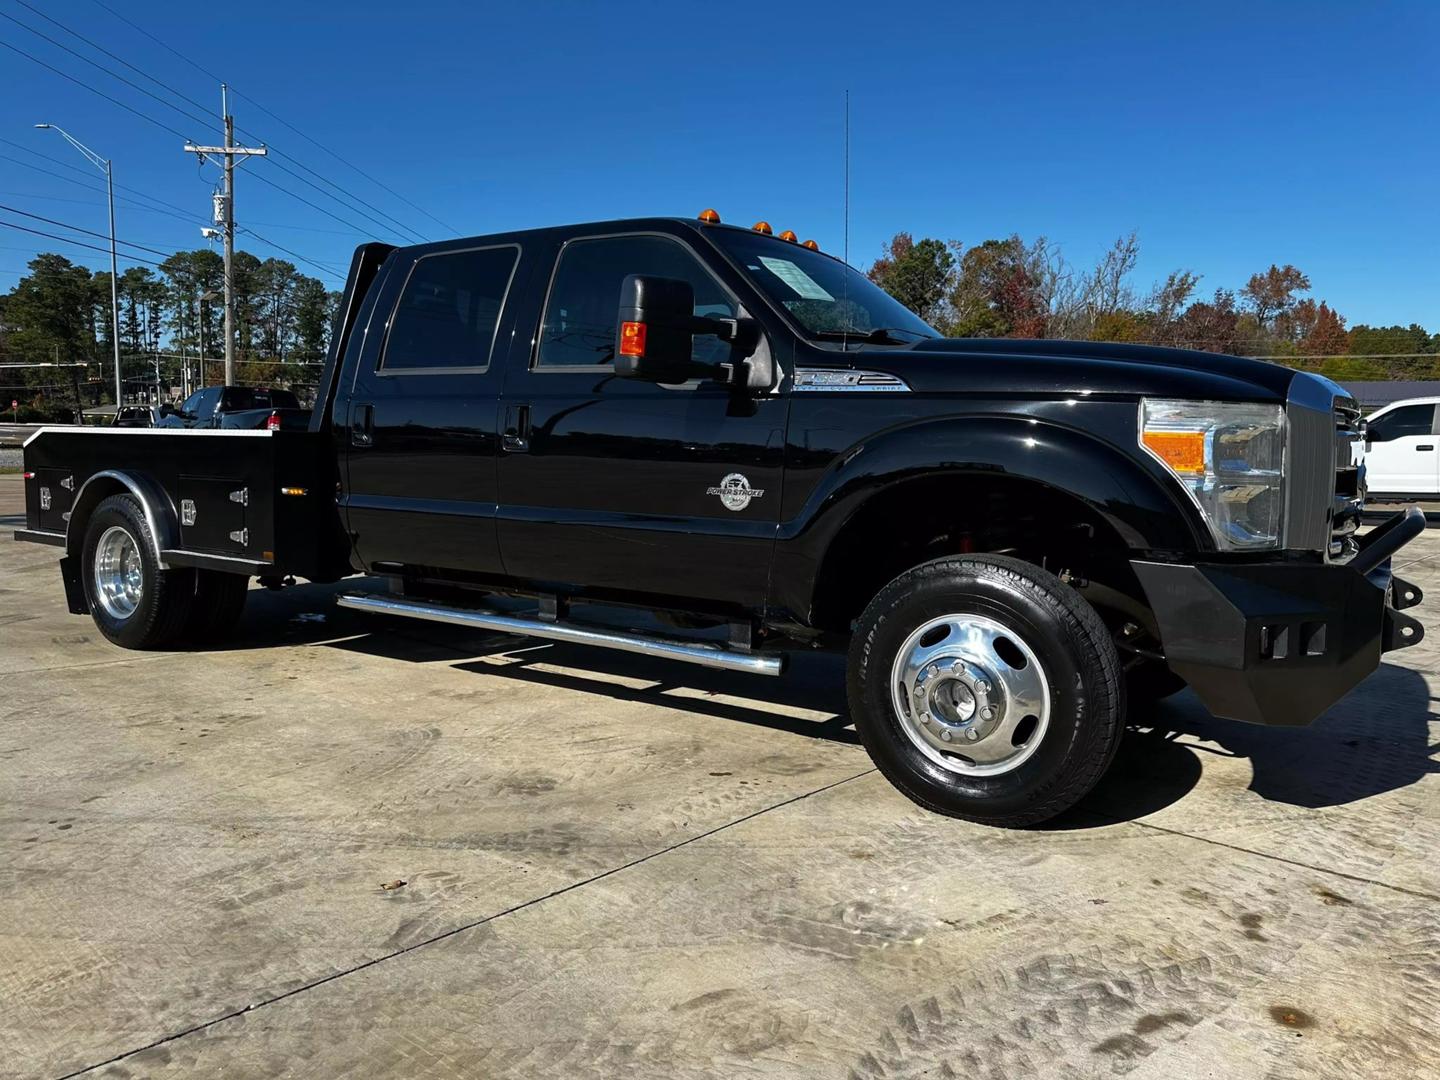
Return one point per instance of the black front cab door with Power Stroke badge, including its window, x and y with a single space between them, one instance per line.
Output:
621 485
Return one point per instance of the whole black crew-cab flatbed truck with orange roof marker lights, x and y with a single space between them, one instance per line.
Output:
1016 541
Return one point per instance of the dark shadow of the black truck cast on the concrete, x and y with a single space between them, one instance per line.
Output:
1373 742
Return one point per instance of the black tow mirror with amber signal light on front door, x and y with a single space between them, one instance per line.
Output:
657 328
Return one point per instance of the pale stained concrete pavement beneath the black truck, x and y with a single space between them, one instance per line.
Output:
362 847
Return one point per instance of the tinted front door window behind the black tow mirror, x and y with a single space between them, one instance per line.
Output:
584 306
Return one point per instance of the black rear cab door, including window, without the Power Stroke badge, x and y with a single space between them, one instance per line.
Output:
420 489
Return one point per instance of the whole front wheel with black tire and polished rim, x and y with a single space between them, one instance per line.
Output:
1022 652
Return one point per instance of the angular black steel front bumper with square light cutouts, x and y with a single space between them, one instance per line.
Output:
1281 643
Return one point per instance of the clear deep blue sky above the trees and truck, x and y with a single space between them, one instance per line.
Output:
1229 136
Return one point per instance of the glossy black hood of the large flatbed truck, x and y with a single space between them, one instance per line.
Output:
1071 368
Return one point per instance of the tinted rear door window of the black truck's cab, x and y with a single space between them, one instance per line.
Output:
449 312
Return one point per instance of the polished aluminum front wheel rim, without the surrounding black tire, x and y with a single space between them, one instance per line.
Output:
971 695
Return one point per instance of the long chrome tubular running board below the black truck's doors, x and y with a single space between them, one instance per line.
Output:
690 652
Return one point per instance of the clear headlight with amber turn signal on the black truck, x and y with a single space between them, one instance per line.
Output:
1230 457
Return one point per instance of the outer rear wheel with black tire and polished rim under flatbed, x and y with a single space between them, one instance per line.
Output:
133 603
